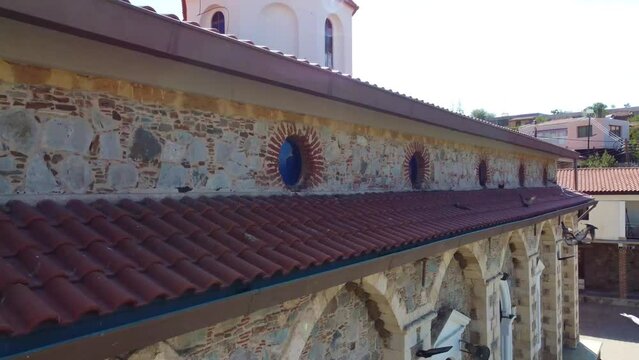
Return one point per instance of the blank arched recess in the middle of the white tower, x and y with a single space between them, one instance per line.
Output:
279 28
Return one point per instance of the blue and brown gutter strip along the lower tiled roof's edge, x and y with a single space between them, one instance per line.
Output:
96 340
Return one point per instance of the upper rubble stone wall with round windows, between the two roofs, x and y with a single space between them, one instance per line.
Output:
73 135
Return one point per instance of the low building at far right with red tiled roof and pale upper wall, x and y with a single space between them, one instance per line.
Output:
610 266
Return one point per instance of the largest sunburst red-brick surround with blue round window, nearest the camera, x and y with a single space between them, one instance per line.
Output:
305 162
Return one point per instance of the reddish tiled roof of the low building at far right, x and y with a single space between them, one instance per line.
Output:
601 180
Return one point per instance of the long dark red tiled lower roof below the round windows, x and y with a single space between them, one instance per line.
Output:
64 262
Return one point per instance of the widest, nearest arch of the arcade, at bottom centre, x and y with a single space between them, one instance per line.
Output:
383 312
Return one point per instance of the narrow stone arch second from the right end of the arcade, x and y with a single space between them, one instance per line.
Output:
518 267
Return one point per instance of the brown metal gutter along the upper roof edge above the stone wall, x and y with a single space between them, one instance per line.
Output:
121 24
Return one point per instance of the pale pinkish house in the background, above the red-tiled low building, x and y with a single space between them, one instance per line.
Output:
583 135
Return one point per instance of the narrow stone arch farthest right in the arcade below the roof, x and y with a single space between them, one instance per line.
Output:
551 292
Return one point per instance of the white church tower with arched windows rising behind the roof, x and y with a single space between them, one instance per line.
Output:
291 26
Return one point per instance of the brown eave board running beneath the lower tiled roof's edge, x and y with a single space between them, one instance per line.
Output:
104 343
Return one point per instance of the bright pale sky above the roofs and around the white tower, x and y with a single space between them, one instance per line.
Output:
506 56
